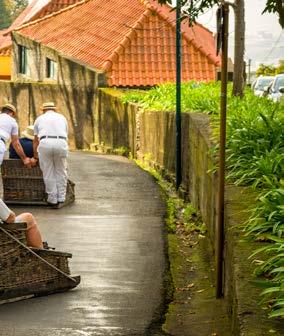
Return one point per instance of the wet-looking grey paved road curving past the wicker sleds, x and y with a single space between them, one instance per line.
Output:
114 230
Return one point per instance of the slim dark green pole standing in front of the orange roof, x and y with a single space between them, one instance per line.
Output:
178 94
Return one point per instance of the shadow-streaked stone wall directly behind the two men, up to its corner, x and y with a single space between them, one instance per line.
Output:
77 104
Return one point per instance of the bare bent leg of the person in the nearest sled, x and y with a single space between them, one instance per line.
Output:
33 235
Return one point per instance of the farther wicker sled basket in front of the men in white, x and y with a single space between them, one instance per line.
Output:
26 186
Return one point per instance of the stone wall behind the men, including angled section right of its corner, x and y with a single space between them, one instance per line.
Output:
94 116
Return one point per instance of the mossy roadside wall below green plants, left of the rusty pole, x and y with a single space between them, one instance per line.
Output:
157 144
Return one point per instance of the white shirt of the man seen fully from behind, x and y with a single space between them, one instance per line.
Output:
51 123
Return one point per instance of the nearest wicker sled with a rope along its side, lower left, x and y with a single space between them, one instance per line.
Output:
27 272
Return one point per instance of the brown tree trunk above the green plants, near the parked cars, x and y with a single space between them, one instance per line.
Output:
239 70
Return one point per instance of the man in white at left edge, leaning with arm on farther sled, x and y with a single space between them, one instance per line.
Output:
9 129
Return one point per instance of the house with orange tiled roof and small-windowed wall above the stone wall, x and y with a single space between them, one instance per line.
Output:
127 45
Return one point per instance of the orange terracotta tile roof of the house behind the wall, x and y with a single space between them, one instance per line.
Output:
133 42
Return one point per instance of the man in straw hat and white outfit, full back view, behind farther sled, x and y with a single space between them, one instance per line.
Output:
50 142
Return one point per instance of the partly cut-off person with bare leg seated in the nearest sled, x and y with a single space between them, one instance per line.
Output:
33 235
